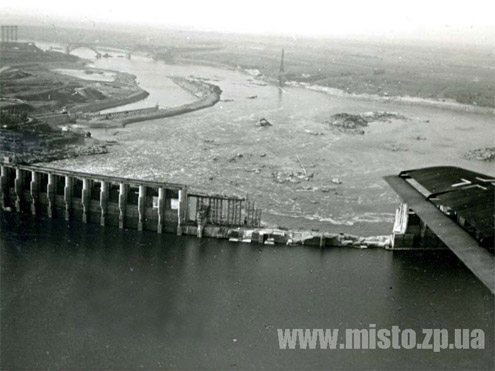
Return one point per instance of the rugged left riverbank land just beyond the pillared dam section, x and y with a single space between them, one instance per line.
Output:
41 91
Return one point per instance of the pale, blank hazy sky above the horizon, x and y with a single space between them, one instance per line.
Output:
449 20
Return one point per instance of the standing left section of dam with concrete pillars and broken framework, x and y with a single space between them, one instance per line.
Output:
121 202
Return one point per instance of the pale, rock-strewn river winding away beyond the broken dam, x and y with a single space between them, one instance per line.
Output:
201 148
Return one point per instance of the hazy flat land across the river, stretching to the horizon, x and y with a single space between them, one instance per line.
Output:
441 72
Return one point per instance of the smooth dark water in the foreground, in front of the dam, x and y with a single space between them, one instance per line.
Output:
77 296
